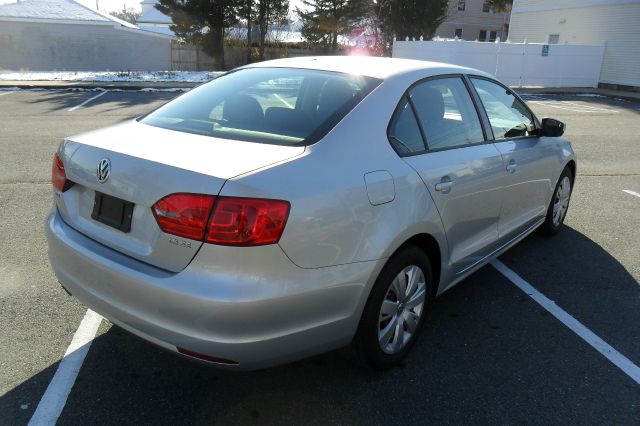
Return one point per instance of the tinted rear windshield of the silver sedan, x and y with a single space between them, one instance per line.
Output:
283 106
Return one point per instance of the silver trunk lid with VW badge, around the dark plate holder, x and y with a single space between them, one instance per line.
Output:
146 164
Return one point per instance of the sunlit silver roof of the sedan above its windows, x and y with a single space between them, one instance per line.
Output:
370 66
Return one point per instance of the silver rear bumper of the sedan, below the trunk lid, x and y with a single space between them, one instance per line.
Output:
249 305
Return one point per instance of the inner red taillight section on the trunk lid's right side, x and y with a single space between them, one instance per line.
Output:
185 215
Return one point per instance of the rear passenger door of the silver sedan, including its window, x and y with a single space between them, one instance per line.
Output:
461 170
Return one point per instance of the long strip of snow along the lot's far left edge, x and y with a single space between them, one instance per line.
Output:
112 76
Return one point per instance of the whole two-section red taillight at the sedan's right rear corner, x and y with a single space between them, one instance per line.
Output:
234 221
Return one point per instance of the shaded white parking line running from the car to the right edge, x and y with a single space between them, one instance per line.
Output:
619 360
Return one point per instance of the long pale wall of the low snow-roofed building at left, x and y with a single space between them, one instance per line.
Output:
76 47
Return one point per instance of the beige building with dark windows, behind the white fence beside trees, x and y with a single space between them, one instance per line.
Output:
473 20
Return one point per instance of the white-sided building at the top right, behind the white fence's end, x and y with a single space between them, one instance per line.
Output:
614 23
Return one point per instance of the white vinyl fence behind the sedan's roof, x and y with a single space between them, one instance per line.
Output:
516 64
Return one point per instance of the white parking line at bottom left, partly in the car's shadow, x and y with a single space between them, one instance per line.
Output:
54 398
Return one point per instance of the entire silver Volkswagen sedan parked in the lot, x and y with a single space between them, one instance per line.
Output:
294 206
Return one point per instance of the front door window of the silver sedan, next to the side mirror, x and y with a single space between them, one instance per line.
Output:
508 116
